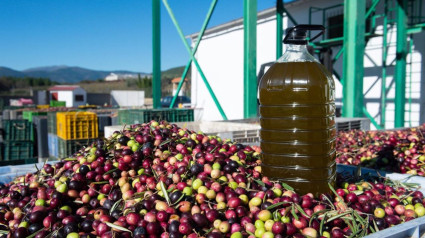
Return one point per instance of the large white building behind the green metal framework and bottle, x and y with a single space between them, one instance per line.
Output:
220 55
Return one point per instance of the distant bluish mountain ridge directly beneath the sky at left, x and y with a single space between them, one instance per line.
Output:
62 73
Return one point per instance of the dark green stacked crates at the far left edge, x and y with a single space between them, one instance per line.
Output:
18 142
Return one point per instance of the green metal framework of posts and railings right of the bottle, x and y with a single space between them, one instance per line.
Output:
411 24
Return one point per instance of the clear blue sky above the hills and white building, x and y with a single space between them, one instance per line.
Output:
102 34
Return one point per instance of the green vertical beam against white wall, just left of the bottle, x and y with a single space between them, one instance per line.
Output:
250 58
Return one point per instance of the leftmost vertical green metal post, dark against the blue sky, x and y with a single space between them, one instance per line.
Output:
156 53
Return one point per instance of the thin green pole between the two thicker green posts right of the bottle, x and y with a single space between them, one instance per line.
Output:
384 65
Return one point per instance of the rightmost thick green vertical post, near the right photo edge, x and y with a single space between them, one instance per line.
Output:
400 67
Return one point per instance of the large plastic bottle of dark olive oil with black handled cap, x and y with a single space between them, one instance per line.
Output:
297 116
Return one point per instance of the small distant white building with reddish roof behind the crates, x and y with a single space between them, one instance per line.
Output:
73 95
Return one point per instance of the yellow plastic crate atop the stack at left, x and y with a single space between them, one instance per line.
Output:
77 125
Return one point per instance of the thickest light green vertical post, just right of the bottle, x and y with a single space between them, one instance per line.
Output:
354 45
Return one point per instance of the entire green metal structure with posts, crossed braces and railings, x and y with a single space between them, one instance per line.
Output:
352 51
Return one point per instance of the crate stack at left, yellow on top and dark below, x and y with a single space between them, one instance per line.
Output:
75 130
